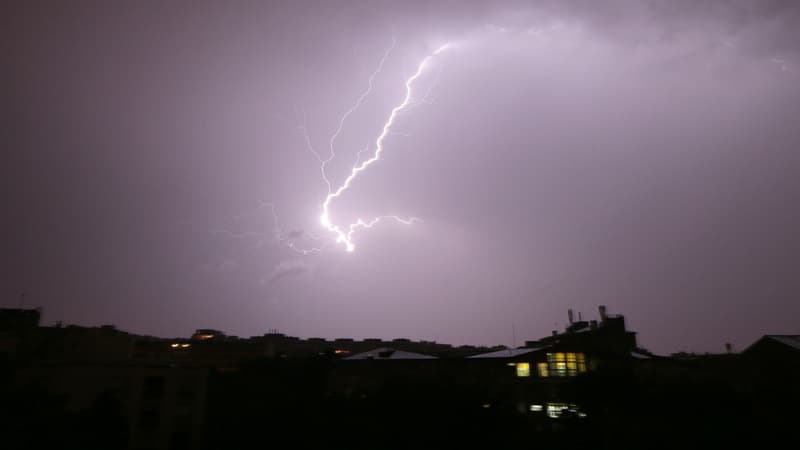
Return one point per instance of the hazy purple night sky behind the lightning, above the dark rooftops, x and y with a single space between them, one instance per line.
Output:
642 155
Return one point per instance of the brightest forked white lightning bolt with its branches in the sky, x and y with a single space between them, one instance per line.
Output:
346 237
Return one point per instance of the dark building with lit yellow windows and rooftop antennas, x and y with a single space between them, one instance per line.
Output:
543 378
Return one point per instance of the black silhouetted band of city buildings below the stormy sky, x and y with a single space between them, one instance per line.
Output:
589 386
